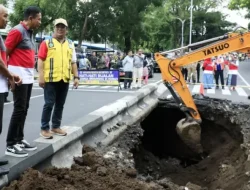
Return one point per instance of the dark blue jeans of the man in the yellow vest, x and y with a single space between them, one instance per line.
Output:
55 94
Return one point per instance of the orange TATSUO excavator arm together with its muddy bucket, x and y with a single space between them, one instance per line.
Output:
189 128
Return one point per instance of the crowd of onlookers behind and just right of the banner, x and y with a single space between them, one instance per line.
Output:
134 65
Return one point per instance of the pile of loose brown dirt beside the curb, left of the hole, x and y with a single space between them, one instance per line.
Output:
95 170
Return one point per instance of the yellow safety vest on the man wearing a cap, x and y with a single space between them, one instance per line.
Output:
57 65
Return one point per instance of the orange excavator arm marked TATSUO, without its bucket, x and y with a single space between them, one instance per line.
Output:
171 69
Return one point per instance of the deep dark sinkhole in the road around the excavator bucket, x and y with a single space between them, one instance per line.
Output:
163 154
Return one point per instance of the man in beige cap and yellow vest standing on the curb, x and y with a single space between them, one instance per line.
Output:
56 61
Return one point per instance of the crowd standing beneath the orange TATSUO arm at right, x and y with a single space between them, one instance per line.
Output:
221 69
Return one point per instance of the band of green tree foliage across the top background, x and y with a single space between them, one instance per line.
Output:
130 24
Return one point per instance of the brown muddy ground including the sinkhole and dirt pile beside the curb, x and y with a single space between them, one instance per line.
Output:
151 156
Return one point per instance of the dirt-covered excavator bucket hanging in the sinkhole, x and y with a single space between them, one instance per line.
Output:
190 133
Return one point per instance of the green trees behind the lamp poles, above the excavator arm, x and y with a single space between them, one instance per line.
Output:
164 29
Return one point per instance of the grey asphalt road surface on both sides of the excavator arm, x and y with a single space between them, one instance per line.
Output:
89 98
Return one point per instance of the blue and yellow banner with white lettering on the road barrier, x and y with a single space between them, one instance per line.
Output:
99 77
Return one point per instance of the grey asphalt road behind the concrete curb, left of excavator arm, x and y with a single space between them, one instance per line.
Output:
79 102
